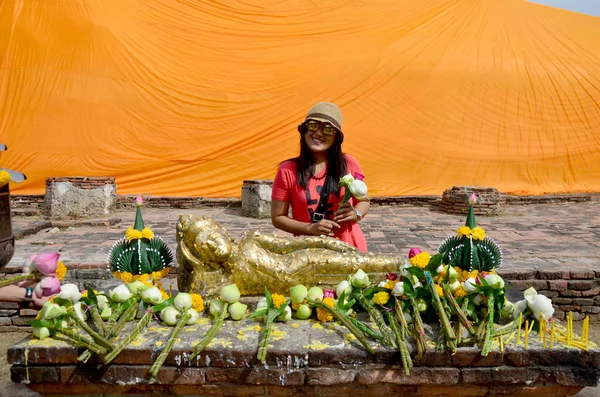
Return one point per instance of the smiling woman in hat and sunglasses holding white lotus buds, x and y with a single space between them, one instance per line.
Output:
309 182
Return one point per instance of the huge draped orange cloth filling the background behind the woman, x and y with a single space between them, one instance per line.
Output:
192 97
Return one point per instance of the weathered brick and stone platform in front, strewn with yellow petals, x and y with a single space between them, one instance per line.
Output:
305 358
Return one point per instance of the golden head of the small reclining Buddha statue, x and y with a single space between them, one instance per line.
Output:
208 241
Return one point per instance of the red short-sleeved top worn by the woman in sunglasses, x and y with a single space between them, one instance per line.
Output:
304 202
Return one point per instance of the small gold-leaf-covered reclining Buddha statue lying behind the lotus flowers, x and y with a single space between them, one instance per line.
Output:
209 258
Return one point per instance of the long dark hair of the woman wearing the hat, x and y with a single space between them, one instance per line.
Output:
336 165
